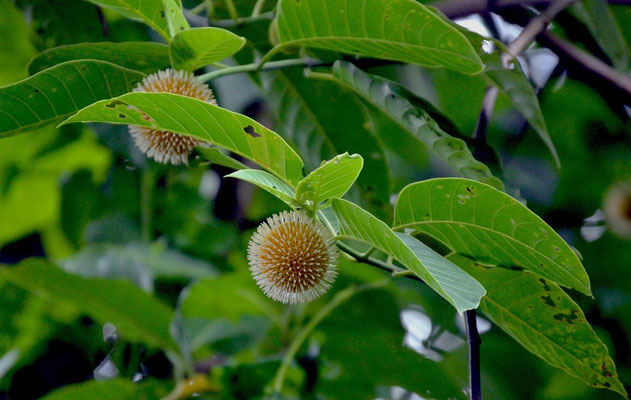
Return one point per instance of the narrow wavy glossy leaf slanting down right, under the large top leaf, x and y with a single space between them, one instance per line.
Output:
384 95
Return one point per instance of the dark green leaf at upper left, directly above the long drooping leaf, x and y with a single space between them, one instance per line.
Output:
146 57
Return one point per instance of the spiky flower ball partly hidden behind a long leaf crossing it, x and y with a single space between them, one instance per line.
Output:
165 146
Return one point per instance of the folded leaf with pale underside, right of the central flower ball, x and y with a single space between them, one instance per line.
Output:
452 283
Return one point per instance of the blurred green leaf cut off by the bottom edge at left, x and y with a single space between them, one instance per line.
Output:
112 389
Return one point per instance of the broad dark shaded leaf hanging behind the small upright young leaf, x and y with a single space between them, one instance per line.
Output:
304 108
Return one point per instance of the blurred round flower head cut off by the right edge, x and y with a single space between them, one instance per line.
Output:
617 209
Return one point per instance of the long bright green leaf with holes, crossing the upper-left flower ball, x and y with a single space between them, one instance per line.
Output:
189 116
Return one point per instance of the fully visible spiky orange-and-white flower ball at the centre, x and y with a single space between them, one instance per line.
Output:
293 257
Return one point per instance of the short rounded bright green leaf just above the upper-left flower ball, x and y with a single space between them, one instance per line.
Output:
197 47
